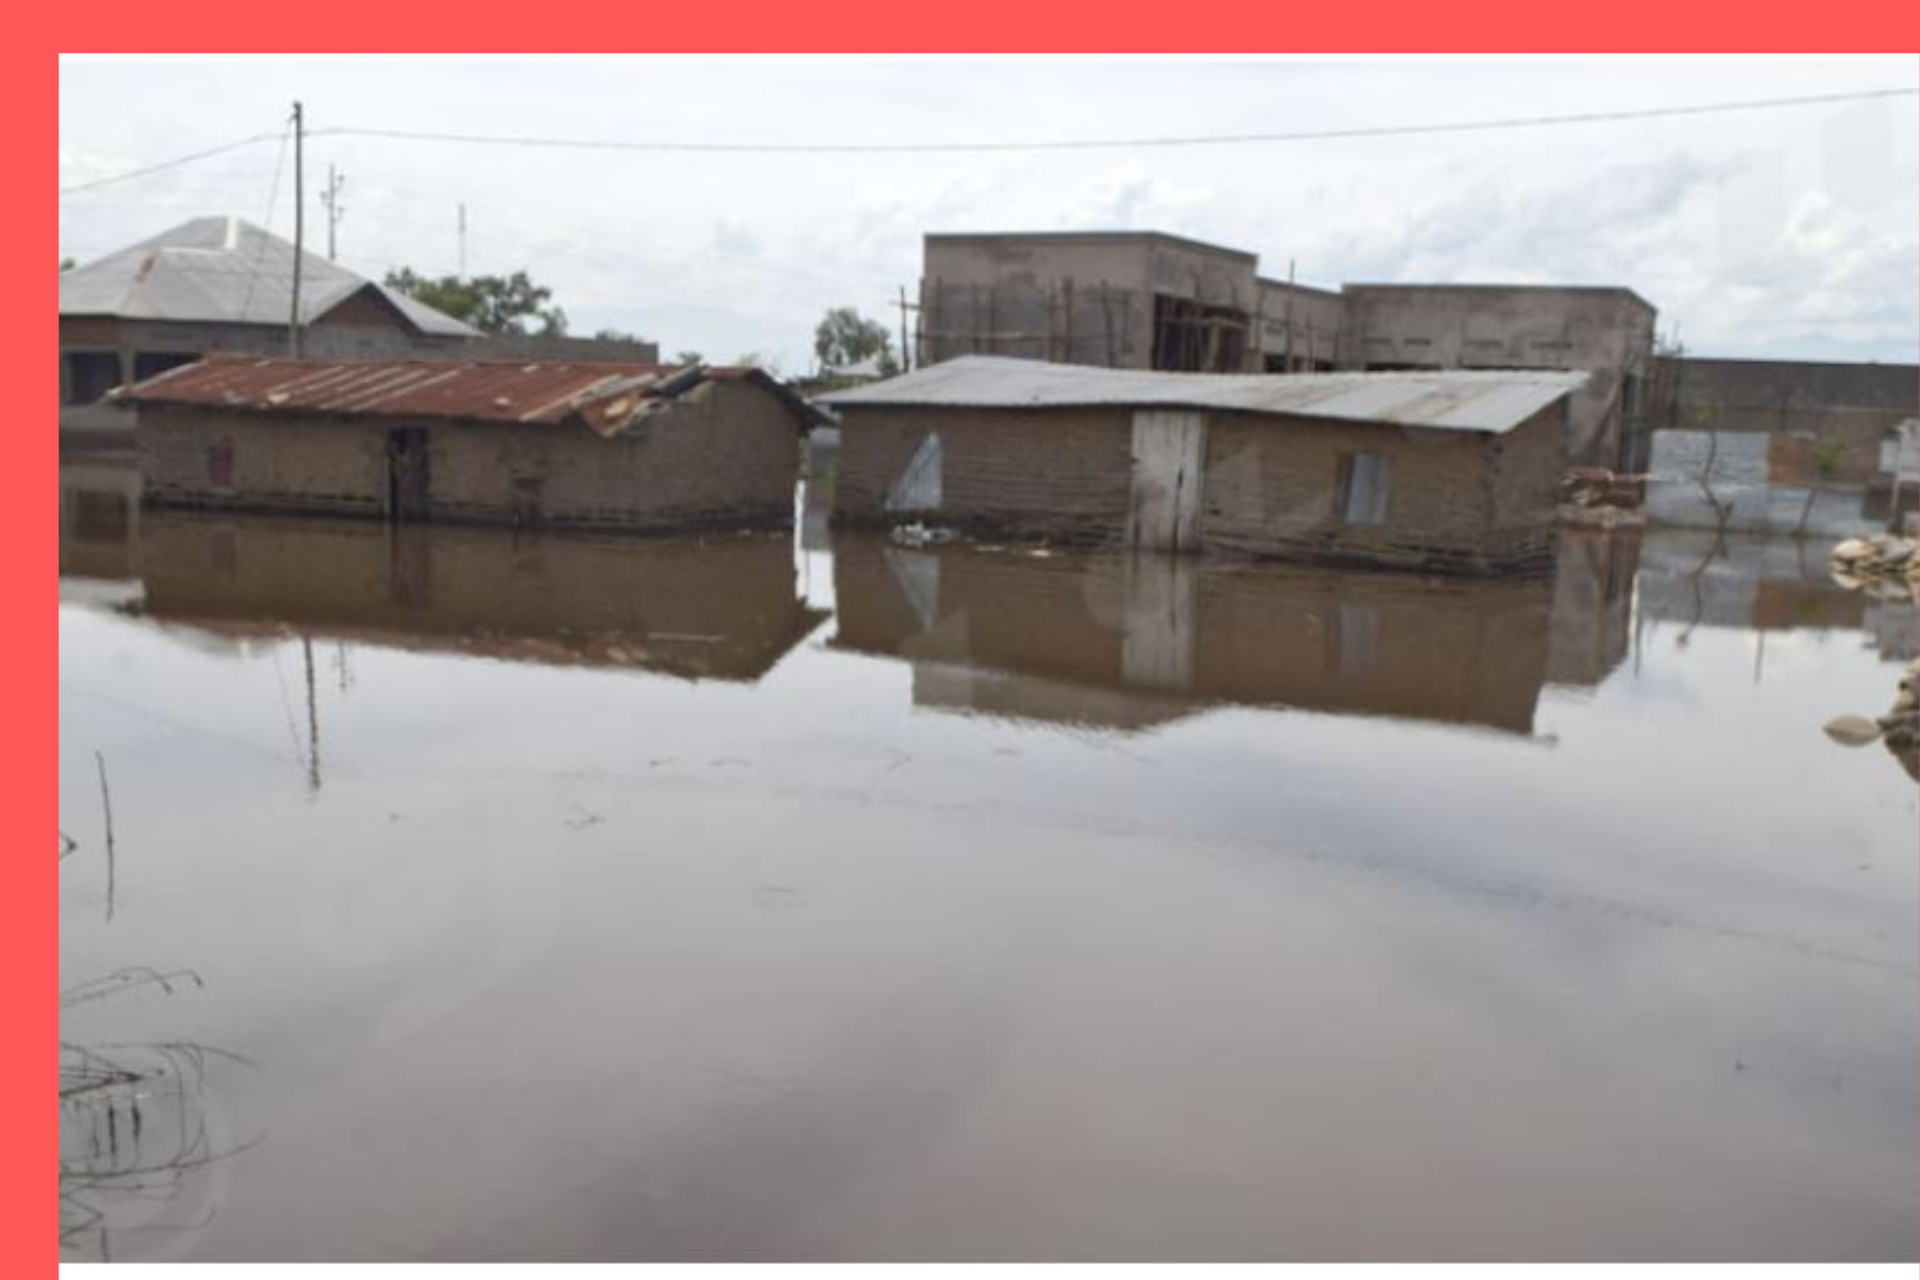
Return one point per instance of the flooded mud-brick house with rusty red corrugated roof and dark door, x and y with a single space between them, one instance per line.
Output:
544 444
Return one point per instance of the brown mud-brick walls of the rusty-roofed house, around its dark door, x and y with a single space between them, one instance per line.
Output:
723 456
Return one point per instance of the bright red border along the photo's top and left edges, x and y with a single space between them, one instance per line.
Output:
757 26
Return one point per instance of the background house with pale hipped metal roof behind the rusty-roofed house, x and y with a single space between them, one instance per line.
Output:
226 285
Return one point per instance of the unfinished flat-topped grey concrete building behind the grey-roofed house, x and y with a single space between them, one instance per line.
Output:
1147 300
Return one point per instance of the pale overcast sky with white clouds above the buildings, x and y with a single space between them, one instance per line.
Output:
1788 233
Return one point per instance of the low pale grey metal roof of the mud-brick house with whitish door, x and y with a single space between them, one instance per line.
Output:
1447 400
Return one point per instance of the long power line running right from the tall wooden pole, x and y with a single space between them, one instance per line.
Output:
1103 145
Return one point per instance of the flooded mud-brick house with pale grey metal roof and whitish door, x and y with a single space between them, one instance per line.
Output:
1437 471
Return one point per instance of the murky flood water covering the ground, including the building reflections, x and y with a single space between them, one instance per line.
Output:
592 899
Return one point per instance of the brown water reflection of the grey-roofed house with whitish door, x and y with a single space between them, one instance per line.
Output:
1136 642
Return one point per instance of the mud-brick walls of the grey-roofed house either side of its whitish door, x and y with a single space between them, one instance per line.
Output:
1458 502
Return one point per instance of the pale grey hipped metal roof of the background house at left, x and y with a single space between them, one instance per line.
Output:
228 272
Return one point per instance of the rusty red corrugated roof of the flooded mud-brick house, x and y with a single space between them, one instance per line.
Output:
602 396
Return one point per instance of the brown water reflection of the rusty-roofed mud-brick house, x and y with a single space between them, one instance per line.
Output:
721 609
